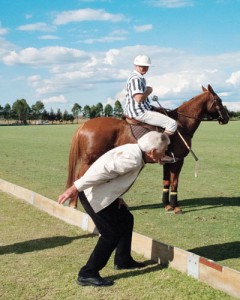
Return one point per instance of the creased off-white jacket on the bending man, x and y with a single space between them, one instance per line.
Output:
111 175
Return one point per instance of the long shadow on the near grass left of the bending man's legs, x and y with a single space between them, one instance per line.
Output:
40 244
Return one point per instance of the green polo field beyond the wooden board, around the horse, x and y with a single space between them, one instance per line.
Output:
36 158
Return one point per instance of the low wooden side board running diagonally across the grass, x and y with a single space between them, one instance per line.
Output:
201 268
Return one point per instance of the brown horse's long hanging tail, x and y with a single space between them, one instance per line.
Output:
73 159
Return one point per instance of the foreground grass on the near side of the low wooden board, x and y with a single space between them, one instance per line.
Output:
41 257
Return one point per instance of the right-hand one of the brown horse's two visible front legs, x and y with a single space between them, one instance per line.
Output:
175 170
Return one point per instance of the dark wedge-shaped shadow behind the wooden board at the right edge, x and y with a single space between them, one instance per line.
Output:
219 252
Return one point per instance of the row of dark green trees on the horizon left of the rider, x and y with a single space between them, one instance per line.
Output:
22 113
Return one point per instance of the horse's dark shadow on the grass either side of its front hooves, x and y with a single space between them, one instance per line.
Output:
197 203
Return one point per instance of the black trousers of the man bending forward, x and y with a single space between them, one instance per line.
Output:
115 226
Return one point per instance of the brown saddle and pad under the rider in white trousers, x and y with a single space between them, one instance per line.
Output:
139 128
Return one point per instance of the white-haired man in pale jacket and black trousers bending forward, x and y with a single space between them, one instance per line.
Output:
100 189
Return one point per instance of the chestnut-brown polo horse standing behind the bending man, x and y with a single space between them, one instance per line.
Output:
99 135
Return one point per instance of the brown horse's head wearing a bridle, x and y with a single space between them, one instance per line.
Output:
215 107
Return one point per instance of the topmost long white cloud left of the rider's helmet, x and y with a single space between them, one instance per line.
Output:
86 14
